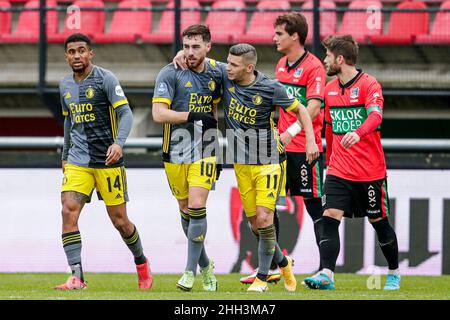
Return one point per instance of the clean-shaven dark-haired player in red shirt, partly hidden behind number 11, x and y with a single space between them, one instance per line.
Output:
303 76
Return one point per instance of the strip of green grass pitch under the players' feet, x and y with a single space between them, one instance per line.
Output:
122 286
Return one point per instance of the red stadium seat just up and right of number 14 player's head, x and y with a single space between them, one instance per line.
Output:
128 26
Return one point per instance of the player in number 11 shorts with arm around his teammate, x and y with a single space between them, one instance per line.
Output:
250 99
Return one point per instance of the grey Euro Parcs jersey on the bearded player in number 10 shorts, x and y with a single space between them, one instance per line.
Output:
188 91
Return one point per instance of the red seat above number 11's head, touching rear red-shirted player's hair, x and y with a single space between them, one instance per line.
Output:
260 29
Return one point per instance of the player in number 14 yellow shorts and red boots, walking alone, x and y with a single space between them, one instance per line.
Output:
97 122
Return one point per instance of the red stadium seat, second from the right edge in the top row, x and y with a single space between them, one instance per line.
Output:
404 26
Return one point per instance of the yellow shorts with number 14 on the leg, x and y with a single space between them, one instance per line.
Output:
110 183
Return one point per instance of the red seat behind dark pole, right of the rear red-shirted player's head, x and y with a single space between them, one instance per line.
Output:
327 19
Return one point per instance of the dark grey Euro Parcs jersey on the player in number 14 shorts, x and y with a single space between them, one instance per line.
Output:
91 105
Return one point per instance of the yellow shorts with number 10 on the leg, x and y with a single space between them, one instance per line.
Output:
201 173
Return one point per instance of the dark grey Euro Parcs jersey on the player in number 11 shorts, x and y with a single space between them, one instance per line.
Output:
249 112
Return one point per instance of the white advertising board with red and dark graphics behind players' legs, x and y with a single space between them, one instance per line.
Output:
30 240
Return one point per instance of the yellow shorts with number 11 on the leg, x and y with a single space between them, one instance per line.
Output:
260 185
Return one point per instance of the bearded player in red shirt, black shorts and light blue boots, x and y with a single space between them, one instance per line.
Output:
356 182
